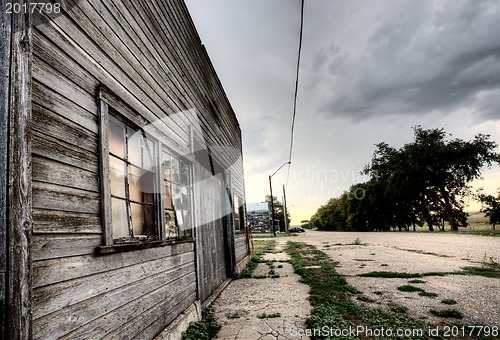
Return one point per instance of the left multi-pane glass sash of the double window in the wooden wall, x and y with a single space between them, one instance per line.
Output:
133 179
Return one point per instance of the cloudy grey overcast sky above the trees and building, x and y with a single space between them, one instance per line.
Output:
370 70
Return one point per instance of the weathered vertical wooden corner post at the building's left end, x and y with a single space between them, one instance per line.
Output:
15 172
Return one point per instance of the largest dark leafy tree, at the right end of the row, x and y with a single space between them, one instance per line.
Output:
428 179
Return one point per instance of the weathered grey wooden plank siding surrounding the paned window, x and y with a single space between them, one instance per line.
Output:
149 54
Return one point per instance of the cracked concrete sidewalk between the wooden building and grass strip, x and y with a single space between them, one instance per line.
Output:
243 300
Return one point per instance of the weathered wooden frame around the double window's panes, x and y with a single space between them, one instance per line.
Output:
120 111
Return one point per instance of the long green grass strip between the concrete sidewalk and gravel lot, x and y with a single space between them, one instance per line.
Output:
331 296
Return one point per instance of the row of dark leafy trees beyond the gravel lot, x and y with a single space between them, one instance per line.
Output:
425 182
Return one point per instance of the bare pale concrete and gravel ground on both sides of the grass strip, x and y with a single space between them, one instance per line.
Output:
477 297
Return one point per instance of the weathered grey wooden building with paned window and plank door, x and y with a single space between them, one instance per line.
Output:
121 170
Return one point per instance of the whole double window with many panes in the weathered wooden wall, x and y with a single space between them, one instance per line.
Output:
146 188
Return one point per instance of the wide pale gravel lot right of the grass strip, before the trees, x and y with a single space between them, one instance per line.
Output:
477 297
